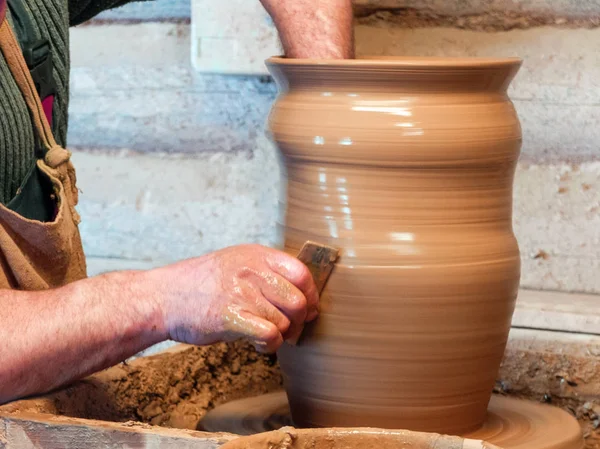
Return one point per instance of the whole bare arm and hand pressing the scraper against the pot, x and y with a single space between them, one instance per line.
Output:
50 338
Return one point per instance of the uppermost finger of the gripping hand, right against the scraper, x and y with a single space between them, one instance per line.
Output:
298 274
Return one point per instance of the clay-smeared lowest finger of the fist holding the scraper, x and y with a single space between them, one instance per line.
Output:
263 334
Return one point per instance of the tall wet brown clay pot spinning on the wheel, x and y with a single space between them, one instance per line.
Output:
407 166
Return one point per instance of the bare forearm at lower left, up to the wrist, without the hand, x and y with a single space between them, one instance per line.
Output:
50 338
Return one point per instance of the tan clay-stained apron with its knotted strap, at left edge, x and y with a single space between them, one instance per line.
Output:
38 255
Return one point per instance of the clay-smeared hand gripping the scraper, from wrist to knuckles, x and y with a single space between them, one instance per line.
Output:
247 291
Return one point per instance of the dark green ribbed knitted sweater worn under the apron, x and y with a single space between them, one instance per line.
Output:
52 19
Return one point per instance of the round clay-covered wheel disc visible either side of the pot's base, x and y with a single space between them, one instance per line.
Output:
511 423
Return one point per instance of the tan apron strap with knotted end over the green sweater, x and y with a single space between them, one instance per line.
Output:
55 155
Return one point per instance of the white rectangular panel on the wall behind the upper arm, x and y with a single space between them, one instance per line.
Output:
232 37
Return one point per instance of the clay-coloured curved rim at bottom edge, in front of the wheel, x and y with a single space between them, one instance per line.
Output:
290 438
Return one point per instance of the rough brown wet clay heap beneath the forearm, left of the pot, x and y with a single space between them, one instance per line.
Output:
171 390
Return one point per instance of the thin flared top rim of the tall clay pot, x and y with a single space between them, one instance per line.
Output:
409 62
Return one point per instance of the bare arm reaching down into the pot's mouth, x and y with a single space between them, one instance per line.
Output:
320 29
